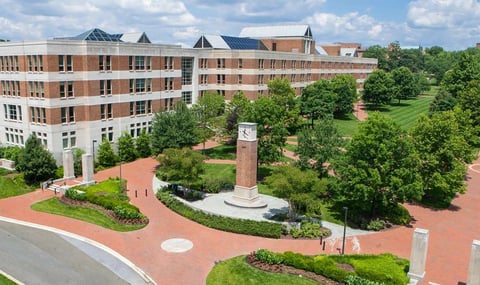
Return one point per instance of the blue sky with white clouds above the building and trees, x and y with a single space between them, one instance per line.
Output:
451 24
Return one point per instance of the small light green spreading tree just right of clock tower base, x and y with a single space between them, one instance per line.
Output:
301 189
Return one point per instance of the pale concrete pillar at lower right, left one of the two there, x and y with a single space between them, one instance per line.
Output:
418 256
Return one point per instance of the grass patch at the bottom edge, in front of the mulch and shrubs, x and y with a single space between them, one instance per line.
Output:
237 271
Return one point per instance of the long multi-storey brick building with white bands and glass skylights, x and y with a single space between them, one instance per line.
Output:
70 92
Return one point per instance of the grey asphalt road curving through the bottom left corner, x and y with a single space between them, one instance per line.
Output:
35 256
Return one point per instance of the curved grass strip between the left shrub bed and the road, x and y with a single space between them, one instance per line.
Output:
54 206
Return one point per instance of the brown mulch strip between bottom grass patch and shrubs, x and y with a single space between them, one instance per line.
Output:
281 268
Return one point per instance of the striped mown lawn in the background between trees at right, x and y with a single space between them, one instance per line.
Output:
406 113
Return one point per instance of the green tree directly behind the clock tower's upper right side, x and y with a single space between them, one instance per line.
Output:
271 127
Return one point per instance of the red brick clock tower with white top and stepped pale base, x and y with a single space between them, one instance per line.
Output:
245 193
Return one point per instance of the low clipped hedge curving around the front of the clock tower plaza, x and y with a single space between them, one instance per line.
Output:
240 226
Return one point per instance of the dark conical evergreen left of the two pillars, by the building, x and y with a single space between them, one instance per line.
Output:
36 162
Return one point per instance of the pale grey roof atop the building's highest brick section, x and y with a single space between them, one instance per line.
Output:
276 31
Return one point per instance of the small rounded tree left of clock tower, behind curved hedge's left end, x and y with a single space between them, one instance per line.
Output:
181 165
